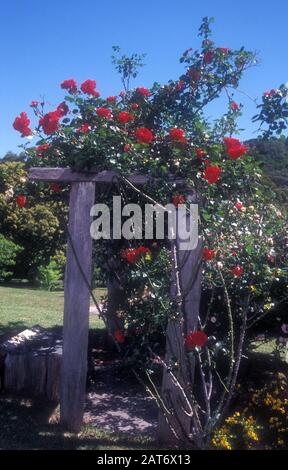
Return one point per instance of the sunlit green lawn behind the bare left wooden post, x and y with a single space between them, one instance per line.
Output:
23 307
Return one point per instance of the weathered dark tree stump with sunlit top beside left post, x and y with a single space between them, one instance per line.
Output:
31 363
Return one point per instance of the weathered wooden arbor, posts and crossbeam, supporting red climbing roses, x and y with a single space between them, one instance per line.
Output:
77 292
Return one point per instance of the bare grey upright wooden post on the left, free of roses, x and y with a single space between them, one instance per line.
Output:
76 306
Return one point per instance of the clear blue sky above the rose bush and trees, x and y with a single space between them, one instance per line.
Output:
45 42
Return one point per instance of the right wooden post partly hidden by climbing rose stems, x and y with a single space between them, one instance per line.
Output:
187 268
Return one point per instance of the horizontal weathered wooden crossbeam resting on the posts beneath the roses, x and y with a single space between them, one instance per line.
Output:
66 175
